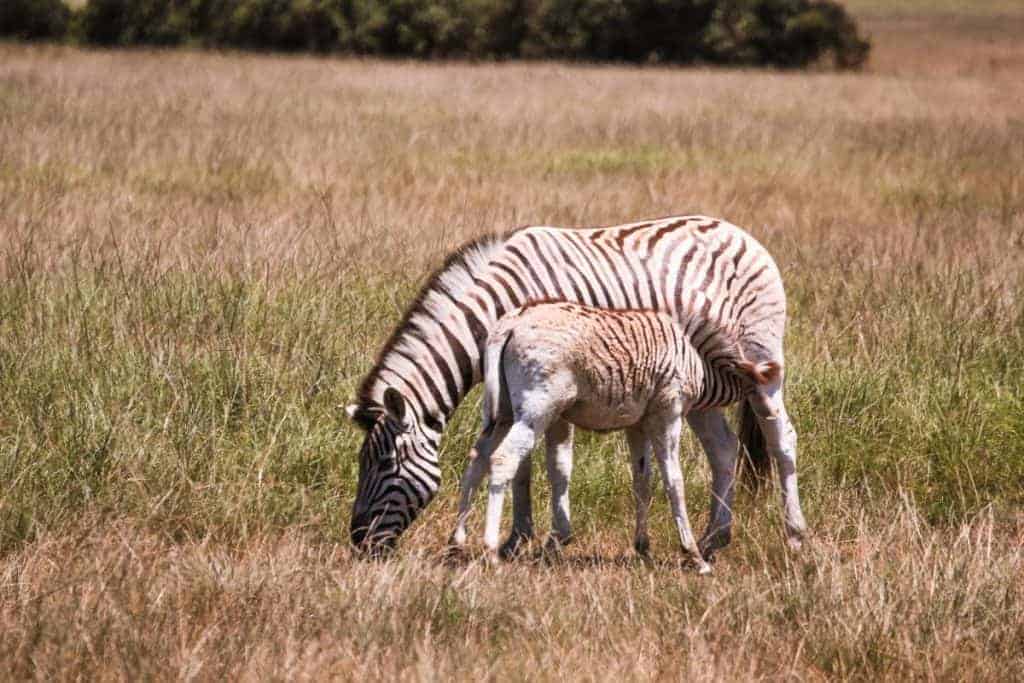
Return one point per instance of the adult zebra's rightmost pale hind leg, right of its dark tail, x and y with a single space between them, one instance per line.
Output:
781 440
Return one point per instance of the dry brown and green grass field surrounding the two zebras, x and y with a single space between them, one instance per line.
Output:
201 254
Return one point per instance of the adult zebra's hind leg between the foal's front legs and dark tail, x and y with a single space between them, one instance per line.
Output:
721 447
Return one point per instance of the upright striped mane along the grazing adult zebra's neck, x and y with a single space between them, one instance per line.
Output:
455 277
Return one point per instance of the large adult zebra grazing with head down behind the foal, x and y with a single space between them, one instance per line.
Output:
713 278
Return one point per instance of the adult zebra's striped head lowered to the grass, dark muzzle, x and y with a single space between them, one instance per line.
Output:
399 473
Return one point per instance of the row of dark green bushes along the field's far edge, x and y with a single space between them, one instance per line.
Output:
782 33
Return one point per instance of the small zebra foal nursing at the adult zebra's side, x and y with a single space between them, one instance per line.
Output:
598 369
